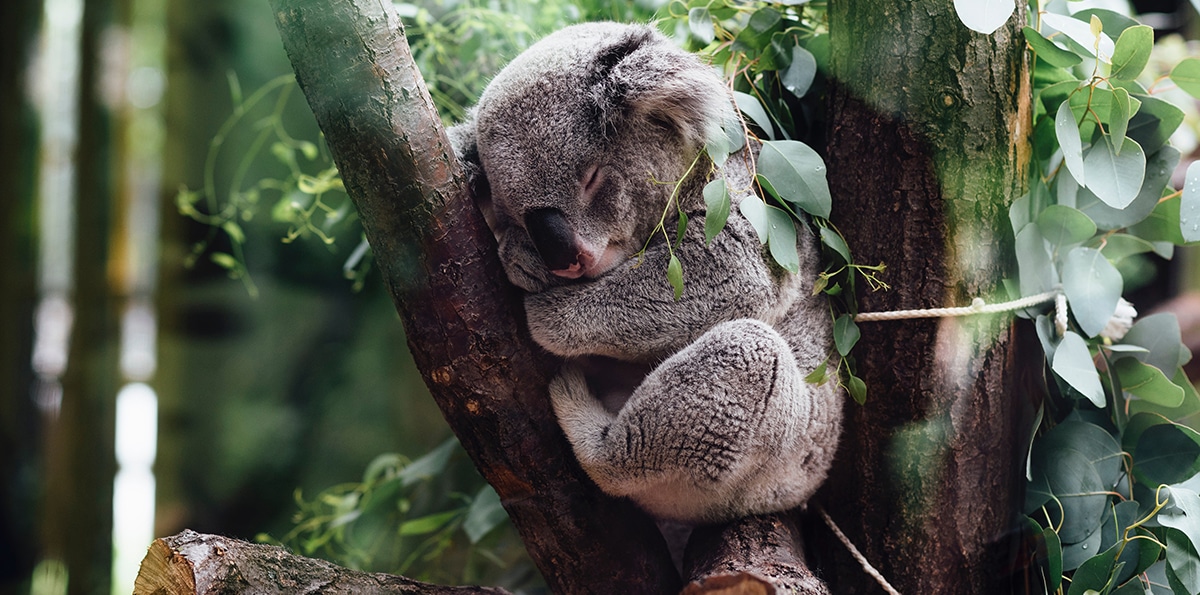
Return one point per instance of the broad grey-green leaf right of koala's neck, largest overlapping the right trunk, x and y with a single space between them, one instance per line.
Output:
797 173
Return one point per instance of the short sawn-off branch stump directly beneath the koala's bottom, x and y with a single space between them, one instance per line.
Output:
754 555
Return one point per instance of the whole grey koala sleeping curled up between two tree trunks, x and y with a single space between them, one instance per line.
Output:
574 153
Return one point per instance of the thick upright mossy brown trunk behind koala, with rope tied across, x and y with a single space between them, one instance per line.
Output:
928 143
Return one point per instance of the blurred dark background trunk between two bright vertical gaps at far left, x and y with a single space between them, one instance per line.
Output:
81 460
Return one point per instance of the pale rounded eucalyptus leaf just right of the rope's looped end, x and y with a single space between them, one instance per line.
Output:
1093 286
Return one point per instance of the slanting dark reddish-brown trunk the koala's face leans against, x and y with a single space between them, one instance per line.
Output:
461 316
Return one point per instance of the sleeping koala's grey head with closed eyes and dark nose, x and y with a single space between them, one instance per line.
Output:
578 134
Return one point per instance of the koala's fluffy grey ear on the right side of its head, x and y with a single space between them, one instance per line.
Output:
643 76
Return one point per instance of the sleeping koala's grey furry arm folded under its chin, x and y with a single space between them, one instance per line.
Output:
631 314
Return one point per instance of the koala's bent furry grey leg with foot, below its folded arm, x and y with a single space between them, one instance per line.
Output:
705 422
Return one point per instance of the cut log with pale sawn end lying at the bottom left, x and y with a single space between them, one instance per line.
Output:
194 564
